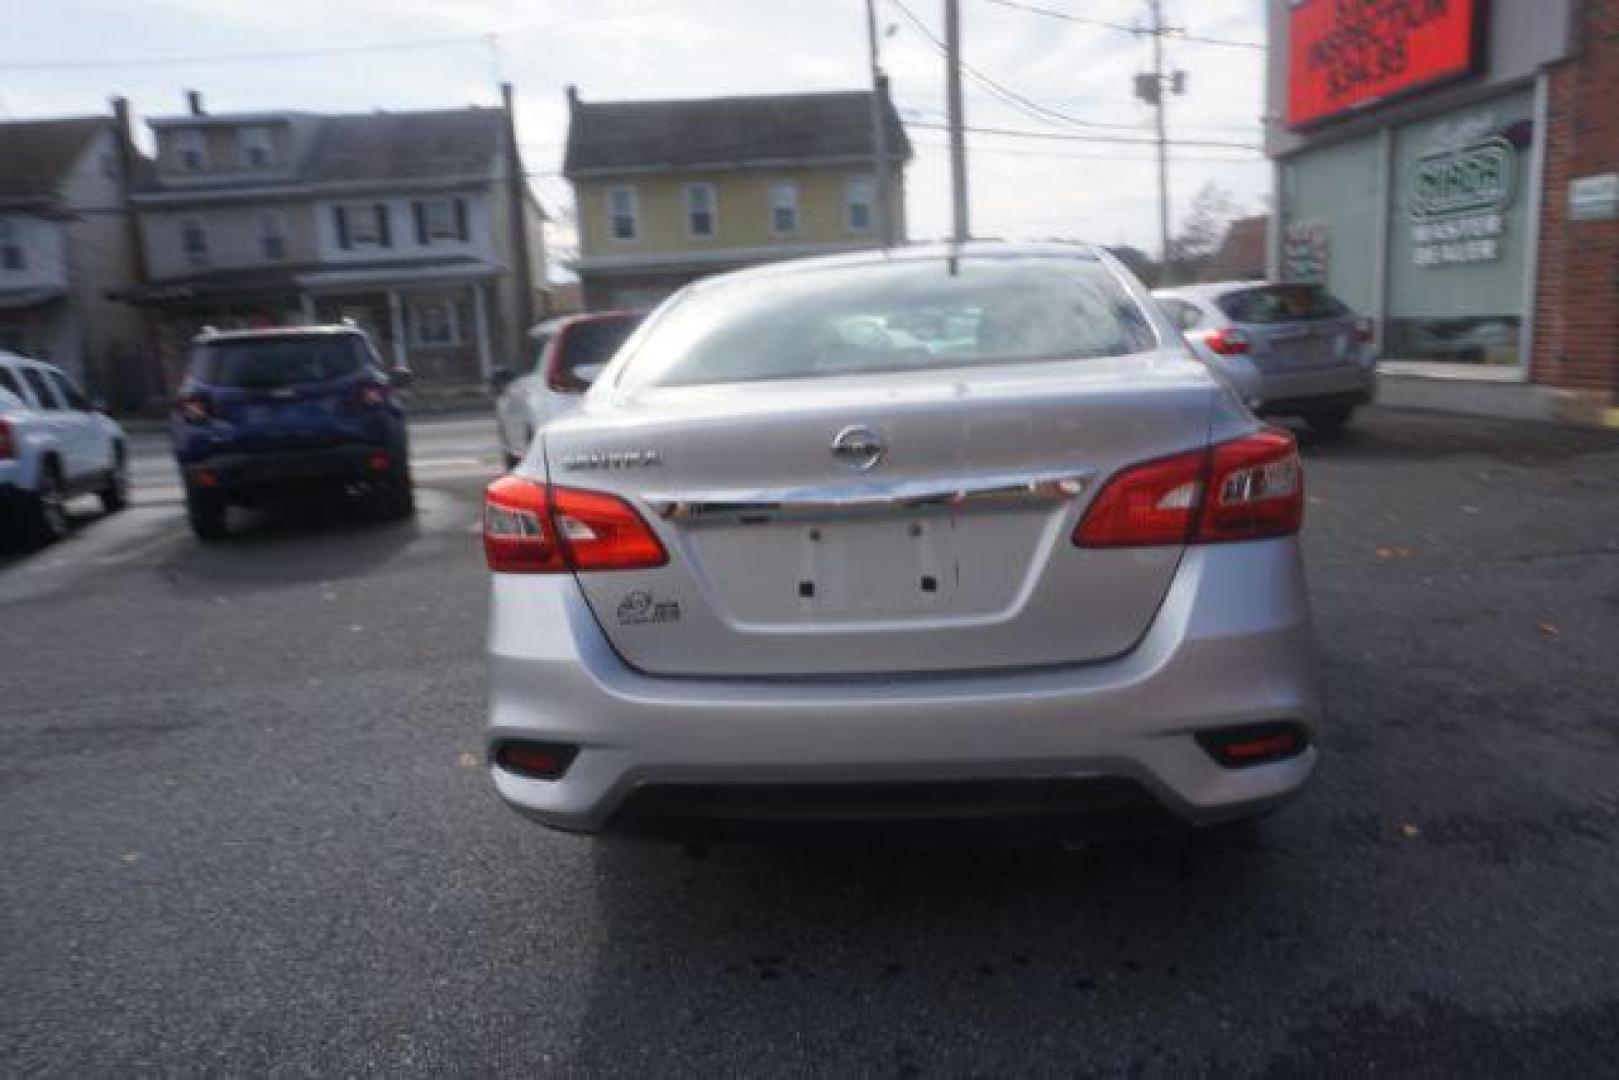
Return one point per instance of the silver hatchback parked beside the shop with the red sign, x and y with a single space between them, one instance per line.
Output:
1290 351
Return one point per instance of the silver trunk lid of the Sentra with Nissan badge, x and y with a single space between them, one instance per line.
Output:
883 524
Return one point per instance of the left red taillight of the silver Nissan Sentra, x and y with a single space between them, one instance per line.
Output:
533 529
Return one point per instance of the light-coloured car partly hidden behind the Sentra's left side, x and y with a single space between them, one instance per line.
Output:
569 354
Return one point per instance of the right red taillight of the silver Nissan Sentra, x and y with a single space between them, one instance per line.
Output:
1246 490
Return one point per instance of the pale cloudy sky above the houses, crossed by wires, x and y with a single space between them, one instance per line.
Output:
70 56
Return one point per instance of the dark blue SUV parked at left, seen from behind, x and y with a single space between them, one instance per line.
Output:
284 412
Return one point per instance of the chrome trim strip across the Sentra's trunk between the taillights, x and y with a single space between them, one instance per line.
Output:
854 500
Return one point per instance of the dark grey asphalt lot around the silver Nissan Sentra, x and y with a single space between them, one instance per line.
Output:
245 828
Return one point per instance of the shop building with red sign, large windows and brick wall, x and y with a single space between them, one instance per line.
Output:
1451 168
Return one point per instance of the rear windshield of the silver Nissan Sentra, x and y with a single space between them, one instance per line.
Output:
914 315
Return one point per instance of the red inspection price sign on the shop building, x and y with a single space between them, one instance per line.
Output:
1349 54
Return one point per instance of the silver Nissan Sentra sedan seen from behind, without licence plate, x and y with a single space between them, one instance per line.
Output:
943 534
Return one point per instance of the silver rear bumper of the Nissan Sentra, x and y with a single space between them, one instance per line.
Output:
1230 647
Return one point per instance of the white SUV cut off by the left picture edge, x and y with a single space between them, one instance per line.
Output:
54 446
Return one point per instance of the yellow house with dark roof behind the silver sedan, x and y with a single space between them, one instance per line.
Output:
669 192
